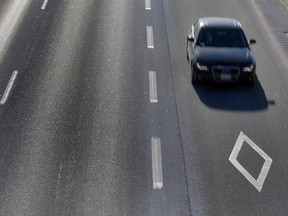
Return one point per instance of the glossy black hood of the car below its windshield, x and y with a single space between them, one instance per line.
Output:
223 56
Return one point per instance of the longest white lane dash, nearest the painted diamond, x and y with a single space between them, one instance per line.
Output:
157 173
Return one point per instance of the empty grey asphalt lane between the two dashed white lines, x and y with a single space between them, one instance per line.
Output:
75 149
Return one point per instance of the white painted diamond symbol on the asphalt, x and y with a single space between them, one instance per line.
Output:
258 184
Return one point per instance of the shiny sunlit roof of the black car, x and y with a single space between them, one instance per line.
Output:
219 22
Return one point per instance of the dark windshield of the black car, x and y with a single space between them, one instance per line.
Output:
221 37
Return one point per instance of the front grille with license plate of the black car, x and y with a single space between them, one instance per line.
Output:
225 73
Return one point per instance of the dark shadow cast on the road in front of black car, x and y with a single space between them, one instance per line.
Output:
236 97
